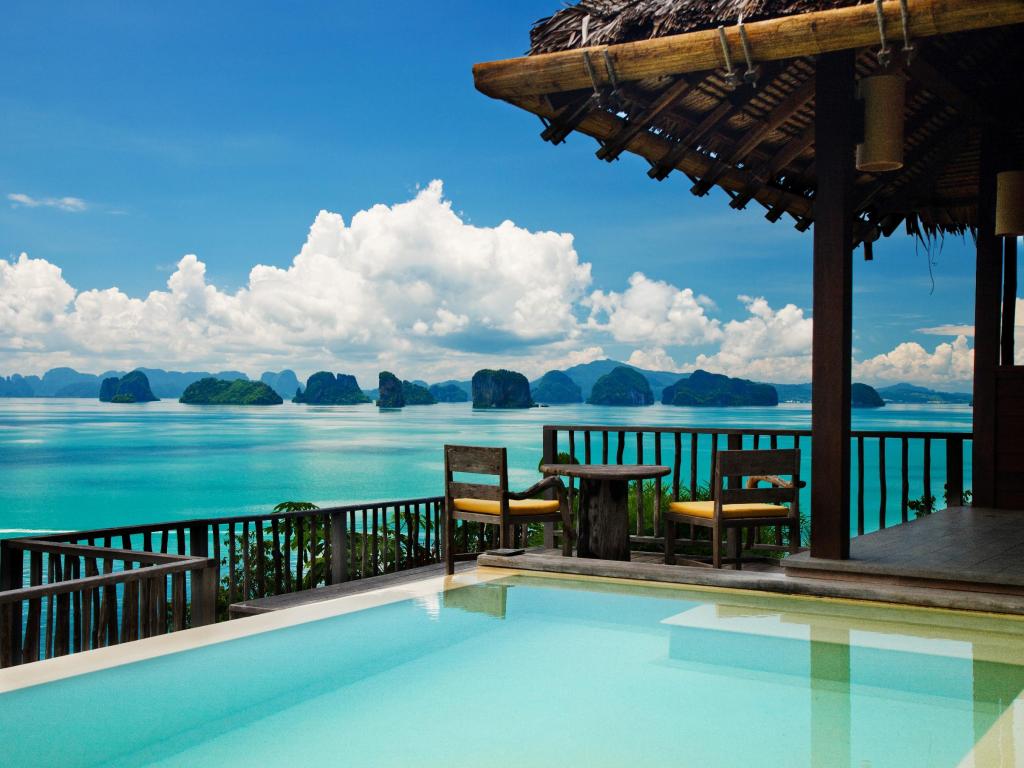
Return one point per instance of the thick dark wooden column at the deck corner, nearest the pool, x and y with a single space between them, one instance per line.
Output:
835 141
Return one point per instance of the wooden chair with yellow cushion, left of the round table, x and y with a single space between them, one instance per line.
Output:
495 504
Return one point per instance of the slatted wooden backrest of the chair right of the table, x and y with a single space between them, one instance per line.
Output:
737 465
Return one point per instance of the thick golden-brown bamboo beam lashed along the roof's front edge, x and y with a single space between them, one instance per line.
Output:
773 39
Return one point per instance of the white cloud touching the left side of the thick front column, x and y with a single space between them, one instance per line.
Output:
769 346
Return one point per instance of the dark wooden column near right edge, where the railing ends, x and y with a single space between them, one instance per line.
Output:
989 283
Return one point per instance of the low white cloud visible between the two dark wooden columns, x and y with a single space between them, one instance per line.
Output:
949 365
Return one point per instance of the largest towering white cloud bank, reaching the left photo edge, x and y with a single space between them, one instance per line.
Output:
411 282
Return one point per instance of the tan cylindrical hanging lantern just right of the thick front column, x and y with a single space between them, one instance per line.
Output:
884 98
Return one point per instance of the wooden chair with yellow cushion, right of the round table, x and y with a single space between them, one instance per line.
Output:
737 507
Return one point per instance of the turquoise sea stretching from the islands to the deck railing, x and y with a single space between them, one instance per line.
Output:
68 464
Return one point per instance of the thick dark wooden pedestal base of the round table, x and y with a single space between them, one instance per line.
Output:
605 525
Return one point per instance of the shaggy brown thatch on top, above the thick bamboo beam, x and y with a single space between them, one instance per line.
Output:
611 22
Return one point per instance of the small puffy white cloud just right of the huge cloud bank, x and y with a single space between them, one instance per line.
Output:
655 313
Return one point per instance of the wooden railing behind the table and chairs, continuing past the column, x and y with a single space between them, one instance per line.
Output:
919 473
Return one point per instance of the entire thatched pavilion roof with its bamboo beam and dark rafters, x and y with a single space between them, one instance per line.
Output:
650 78
